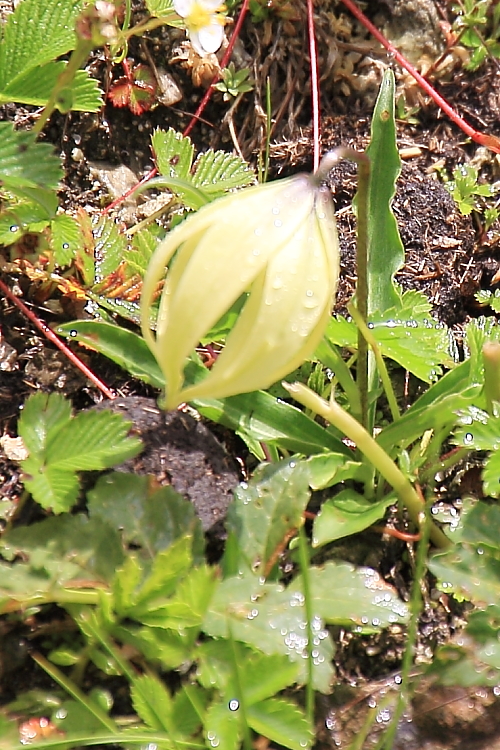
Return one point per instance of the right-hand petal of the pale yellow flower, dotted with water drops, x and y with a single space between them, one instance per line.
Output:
285 316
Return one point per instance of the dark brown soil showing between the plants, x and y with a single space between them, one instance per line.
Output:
447 257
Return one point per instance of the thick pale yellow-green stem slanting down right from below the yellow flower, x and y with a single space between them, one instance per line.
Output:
382 462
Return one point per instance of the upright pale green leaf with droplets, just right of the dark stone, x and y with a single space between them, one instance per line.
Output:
265 511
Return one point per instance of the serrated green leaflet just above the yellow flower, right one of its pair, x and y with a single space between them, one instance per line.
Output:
217 171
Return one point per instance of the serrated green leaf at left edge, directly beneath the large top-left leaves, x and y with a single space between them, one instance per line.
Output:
25 163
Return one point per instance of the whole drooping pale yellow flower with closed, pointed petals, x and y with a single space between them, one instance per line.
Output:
278 243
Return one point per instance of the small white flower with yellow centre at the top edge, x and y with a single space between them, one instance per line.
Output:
204 22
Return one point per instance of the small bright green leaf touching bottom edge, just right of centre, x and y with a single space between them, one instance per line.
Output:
282 722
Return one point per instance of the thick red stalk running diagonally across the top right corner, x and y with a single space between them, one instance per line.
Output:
490 141
